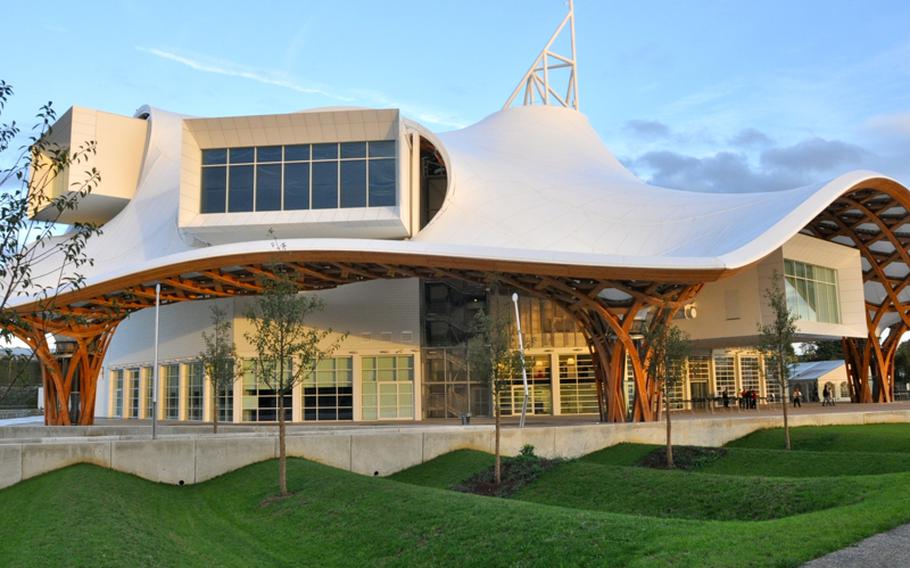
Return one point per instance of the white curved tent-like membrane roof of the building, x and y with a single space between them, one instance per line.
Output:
527 184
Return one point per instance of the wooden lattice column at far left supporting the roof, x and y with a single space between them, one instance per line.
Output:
91 343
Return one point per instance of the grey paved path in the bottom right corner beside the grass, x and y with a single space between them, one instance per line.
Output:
884 550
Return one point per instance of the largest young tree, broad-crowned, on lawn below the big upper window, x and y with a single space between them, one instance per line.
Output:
286 350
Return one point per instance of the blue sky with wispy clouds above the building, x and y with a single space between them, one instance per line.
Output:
700 94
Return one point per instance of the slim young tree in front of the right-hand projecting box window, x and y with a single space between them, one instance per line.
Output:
776 343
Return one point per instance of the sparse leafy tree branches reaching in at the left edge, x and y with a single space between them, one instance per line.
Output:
37 259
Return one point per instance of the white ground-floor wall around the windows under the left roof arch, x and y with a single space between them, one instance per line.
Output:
381 318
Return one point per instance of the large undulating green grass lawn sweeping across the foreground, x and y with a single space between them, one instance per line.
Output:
89 516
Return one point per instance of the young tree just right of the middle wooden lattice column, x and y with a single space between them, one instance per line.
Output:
669 350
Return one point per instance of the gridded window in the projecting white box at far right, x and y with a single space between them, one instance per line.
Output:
812 291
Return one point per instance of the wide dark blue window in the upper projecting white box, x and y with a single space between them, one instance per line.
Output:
302 176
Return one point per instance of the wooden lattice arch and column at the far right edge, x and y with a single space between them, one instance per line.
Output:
875 221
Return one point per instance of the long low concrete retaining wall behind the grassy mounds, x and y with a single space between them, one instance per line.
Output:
192 458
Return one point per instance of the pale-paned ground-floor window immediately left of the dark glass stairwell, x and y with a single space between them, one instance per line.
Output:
387 387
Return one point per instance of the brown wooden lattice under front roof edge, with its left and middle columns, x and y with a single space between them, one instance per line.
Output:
611 322
